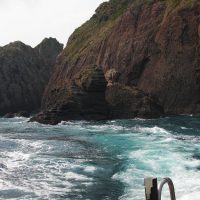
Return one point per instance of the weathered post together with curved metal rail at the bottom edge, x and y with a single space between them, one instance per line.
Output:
153 192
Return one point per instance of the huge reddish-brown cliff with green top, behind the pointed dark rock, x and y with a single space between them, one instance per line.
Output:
153 44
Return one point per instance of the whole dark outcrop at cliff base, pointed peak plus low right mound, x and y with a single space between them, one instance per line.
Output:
88 98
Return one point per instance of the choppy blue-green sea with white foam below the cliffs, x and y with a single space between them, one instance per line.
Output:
98 160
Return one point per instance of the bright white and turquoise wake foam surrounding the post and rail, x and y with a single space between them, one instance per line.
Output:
173 164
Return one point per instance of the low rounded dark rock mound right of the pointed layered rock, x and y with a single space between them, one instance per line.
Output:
130 102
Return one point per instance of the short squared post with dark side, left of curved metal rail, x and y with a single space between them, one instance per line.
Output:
151 188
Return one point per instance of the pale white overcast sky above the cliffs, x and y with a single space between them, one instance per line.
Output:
30 21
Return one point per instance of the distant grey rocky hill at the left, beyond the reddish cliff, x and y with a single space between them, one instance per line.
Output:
23 75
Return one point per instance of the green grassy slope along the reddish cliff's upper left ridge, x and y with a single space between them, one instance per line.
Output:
96 28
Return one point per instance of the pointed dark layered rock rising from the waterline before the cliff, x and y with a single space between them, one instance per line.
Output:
81 99
